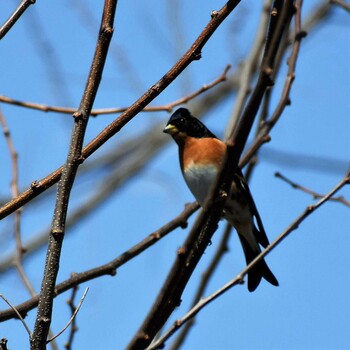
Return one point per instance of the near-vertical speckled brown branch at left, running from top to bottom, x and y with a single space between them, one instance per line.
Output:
81 117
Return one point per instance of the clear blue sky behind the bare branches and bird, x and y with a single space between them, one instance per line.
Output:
310 308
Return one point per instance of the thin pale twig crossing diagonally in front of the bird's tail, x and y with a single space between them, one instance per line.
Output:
240 277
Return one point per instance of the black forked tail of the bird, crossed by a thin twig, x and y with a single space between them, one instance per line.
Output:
260 270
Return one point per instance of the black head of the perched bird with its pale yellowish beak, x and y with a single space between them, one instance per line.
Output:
184 123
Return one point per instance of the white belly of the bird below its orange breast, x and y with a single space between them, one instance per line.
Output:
199 179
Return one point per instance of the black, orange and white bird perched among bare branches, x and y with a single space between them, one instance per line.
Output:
201 154
